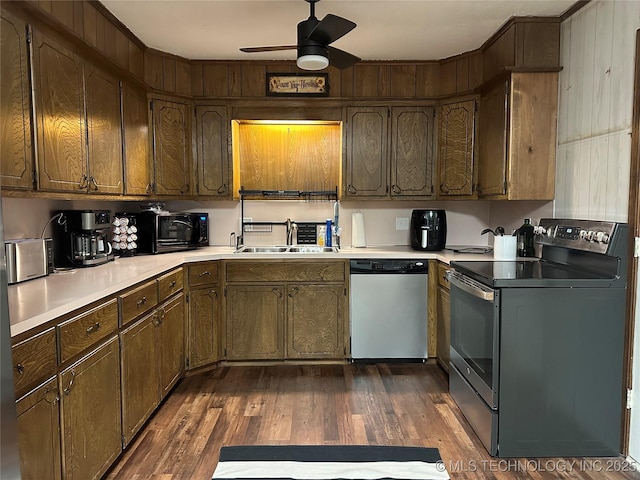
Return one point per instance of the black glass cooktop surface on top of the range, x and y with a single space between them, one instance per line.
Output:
529 273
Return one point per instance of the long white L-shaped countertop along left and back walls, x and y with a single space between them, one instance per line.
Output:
36 302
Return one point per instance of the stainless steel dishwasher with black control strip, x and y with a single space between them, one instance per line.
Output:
388 310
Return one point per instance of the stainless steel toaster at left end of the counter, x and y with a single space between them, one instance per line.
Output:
28 258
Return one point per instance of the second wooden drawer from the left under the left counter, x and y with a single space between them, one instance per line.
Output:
86 329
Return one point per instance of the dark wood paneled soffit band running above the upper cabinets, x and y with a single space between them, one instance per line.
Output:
525 42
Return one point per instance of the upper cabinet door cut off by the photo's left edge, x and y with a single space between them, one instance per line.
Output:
16 159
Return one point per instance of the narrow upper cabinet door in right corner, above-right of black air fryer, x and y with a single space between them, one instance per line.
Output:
456 143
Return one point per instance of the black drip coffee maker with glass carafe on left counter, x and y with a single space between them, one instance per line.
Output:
81 238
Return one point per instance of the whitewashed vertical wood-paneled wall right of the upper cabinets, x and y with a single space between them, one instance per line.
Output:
595 111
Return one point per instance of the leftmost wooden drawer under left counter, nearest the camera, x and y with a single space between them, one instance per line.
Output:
34 360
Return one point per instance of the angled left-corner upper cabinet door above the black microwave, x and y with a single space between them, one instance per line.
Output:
170 148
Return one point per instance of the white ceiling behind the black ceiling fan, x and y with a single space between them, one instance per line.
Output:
387 29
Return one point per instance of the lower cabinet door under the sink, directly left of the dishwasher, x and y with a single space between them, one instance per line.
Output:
316 321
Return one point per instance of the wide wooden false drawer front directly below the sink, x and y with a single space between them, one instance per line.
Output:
285 271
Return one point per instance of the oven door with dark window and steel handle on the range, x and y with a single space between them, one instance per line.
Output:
475 335
